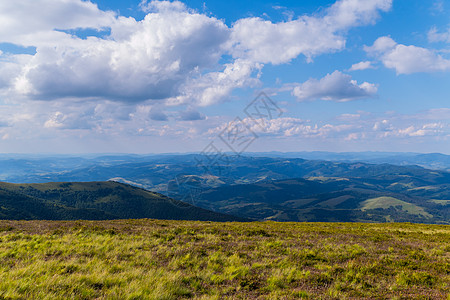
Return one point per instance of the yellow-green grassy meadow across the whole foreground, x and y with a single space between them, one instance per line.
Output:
149 259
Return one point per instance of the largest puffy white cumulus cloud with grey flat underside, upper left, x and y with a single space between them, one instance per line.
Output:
151 63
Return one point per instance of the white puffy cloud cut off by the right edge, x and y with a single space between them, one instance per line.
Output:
407 59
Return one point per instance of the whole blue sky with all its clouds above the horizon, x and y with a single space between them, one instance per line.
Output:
185 76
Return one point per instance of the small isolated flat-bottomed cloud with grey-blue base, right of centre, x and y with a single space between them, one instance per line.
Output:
336 87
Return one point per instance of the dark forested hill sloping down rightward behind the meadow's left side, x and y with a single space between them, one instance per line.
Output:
94 201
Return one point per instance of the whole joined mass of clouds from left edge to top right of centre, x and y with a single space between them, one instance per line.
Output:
173 54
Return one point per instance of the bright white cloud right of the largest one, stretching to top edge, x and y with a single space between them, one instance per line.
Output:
265 42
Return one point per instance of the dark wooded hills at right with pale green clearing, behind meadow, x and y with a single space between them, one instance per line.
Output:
323 199
